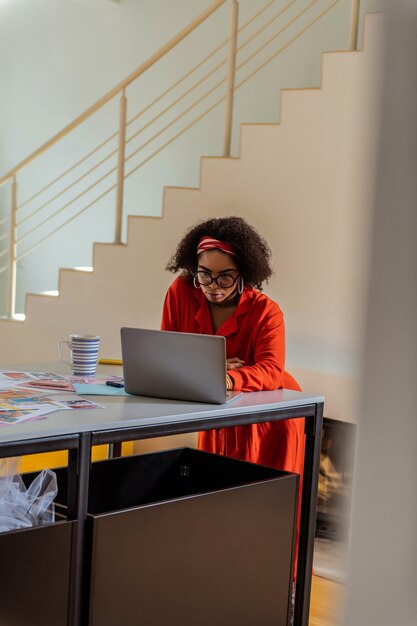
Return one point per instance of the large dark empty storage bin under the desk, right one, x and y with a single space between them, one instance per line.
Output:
187 538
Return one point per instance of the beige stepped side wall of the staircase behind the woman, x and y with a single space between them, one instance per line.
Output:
304 183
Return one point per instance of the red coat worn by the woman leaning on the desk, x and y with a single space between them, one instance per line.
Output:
255 333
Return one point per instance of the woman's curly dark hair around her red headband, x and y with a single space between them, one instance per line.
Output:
253 253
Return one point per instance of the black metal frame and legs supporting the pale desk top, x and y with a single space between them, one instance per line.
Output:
79 447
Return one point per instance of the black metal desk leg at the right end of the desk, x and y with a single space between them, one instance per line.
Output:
313 430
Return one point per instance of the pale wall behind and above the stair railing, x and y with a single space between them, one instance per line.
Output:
58 56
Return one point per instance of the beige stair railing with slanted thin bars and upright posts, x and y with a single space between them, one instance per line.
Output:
119 170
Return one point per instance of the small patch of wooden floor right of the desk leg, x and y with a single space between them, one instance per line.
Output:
326 603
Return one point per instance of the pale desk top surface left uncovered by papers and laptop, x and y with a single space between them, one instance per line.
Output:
137 411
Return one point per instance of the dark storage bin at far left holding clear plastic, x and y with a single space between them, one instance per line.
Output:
35 573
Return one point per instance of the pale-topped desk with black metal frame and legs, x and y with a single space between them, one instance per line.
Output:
128 418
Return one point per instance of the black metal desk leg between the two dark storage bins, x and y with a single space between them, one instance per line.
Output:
79 469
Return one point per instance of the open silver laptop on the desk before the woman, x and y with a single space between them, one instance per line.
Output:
179 366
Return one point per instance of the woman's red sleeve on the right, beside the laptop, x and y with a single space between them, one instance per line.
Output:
267 371
